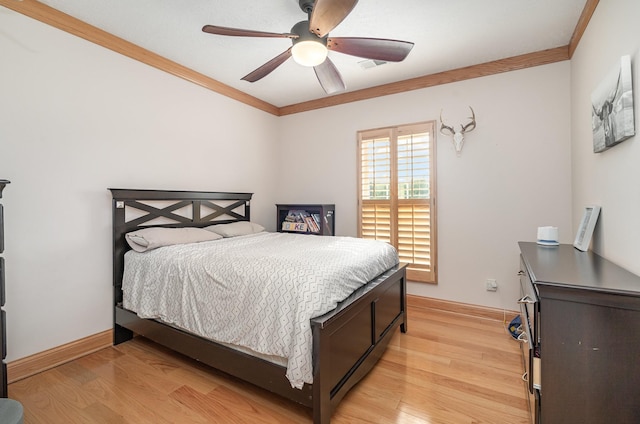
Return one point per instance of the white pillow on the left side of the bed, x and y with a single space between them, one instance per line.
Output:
152 238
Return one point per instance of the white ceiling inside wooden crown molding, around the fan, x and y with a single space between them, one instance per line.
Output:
448 34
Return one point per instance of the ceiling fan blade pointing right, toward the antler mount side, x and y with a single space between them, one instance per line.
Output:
371 48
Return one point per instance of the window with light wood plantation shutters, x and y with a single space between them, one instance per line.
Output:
396 172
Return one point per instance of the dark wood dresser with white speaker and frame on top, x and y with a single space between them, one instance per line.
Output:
585 314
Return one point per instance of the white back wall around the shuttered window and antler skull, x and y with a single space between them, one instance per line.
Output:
514 173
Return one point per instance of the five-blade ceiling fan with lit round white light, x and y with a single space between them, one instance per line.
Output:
311 43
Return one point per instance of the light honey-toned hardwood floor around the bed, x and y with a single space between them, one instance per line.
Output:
449 368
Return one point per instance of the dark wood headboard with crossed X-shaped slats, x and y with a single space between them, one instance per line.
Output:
136 209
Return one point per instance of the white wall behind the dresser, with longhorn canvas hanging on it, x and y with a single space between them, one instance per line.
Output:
609 179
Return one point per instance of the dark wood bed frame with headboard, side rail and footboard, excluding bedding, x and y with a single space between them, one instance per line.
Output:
346 342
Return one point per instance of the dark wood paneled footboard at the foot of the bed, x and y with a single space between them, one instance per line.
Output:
348 341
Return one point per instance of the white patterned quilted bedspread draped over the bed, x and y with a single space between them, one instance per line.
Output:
258 291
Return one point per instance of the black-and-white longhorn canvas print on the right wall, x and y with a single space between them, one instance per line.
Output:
612 108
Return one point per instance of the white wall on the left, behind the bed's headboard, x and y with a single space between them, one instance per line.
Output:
76 119
